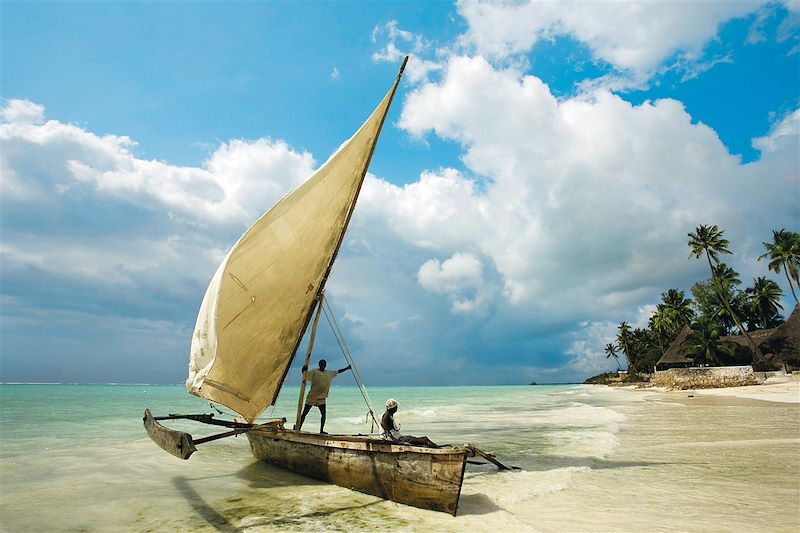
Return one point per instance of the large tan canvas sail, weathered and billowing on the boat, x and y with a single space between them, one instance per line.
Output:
259 301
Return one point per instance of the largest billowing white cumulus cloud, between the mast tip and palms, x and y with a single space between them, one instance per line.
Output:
587 201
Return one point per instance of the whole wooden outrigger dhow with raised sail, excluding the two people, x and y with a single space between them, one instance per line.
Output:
253 317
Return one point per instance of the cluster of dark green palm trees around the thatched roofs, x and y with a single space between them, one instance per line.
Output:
719 306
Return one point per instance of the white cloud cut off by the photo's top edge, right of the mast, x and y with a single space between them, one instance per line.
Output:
636 38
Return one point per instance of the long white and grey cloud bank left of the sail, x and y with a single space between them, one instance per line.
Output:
84 184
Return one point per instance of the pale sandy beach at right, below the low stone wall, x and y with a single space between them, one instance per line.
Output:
710 460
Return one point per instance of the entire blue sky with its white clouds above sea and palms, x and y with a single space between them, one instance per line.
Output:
534 185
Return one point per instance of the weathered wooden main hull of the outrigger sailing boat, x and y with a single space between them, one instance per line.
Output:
412 475
